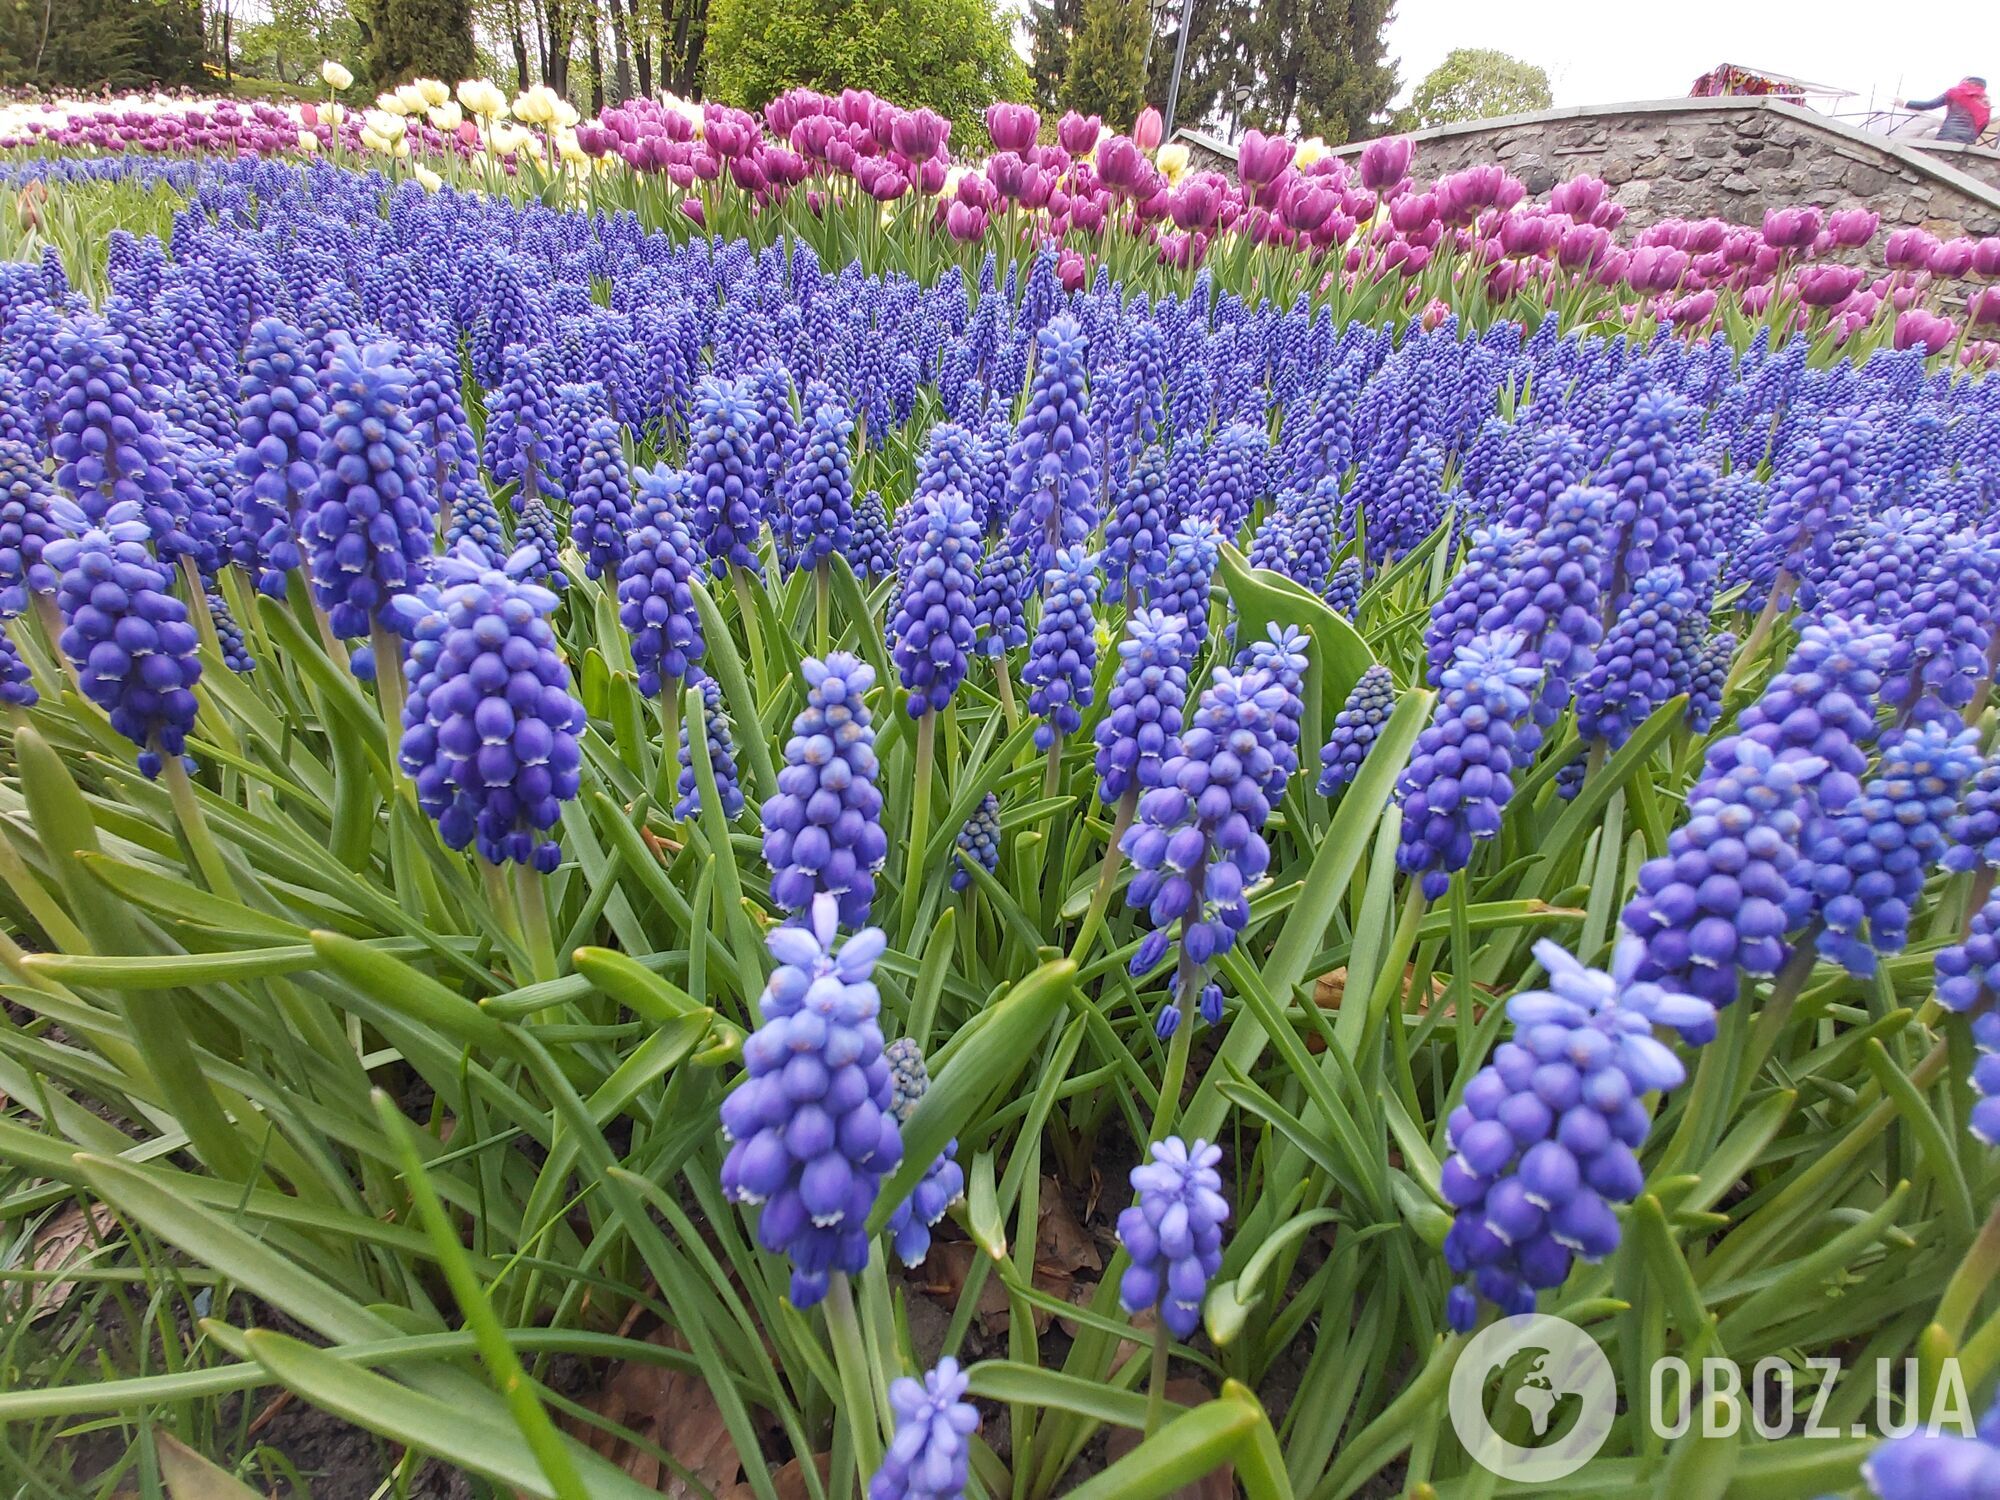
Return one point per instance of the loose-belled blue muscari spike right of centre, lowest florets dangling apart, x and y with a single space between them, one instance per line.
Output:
1199 841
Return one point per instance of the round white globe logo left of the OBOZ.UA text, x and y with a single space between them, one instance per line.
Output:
1547 1371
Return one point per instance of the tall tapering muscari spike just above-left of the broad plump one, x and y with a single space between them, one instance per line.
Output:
369 521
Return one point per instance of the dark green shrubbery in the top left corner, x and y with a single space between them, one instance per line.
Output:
97 43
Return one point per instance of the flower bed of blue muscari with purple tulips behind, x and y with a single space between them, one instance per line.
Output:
705 805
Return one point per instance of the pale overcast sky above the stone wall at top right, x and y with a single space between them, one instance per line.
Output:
1601 53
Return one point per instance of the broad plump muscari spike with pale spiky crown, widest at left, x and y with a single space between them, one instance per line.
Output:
493 735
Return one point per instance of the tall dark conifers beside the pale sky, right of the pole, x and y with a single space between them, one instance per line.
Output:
1297 67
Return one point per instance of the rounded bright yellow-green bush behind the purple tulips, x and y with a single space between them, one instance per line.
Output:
949 55
